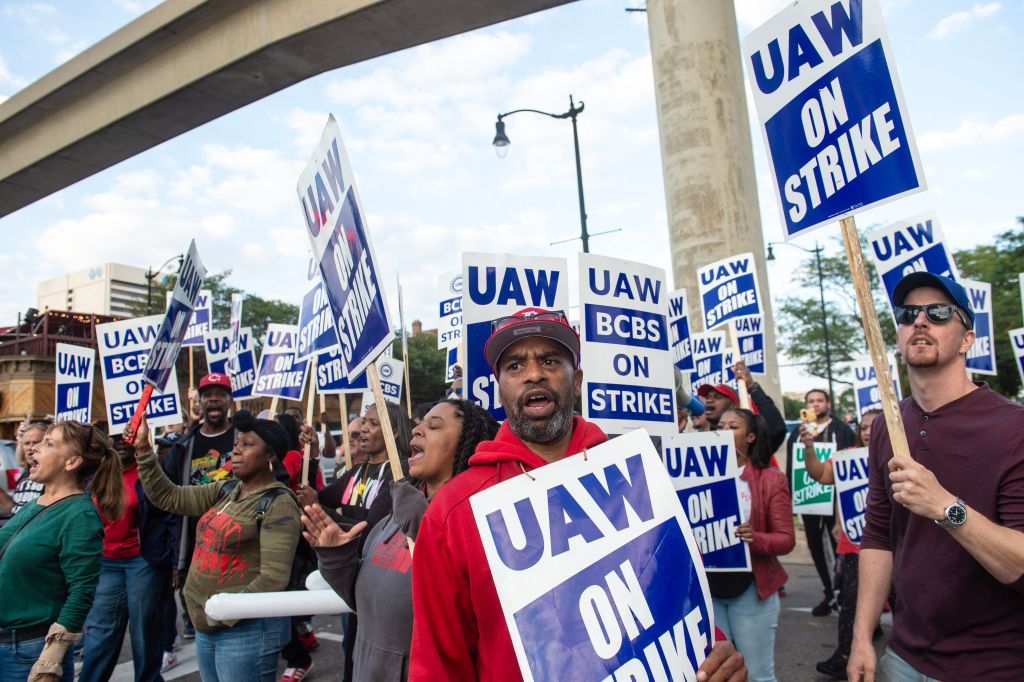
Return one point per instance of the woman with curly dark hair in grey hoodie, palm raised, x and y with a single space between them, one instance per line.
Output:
379 583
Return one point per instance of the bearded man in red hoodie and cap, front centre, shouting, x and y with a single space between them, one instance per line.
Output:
459 631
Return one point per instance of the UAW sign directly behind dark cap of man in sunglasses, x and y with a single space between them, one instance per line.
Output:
914 245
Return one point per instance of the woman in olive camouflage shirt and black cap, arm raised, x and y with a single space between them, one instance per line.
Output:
240 547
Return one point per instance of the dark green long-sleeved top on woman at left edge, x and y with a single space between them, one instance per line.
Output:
50 571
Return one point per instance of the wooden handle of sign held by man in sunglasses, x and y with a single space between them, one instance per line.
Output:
876 345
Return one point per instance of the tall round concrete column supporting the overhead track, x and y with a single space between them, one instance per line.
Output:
710 186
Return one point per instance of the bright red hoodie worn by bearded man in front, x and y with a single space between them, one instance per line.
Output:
459 631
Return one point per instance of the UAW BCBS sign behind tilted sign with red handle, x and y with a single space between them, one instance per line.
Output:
124 348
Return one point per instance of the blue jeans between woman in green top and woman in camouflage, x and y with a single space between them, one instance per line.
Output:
127 599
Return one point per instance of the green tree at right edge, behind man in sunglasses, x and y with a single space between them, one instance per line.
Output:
999 265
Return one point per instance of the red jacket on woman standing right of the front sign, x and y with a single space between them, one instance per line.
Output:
772 521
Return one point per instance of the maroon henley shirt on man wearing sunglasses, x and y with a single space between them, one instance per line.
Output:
953 620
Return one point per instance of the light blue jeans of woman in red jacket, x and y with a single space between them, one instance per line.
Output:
751 624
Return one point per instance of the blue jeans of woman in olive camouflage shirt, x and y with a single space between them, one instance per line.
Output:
246 653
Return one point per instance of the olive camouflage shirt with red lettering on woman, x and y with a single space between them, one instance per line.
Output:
232 553
